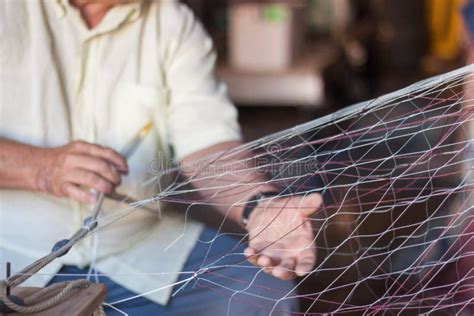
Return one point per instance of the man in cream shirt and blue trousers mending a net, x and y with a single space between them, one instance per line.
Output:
78 79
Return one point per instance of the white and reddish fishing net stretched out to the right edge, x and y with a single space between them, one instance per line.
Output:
396 177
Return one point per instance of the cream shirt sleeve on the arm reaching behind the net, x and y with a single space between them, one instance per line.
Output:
200 113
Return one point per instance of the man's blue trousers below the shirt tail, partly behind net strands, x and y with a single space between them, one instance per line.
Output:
235 287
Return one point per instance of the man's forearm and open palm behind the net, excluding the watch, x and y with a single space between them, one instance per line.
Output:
280 236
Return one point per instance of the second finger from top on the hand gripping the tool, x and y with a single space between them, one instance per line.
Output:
97 165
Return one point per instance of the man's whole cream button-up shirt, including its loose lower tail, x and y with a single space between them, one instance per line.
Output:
60 82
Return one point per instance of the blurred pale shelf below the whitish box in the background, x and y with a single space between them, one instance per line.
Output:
300 86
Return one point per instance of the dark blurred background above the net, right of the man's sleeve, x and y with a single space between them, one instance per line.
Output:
290 61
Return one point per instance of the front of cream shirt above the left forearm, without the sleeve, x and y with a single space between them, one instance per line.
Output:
61 82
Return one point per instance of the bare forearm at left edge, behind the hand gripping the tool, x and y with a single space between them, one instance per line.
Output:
19 165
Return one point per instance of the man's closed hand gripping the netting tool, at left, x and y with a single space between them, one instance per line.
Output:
71 170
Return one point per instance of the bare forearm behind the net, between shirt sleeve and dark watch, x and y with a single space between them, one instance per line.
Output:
228 181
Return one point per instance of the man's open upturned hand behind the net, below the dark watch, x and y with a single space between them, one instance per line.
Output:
281 236
